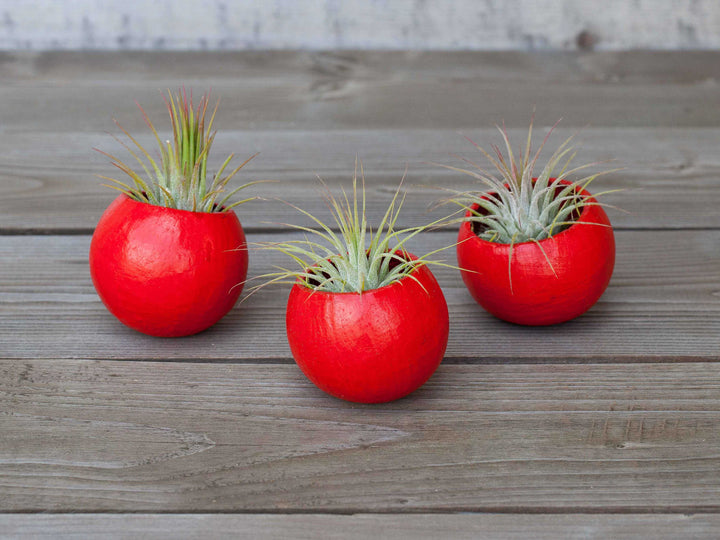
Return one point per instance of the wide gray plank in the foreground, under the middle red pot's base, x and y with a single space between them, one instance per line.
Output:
88 436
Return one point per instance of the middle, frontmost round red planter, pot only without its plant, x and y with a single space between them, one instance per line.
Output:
369 347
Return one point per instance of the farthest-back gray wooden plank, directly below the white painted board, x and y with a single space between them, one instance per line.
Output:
352 89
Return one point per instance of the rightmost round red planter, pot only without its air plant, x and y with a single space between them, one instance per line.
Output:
583 257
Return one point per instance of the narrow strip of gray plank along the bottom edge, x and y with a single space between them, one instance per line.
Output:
362 526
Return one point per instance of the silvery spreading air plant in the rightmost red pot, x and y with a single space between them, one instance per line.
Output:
520 205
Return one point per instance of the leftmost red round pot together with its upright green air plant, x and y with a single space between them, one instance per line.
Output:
168 257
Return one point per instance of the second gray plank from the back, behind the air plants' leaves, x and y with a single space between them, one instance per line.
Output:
49 182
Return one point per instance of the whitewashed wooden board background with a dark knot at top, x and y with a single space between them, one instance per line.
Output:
359 24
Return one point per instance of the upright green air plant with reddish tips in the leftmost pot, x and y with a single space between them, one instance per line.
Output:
179 178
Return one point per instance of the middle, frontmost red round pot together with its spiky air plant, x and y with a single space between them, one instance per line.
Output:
366 320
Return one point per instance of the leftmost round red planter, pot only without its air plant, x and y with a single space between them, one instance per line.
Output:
167 272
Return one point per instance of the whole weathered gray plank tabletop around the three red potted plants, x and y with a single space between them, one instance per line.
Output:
614 414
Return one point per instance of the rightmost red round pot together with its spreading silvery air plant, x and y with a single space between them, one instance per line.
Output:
534 250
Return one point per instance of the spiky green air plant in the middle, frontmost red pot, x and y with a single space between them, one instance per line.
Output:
357 258
